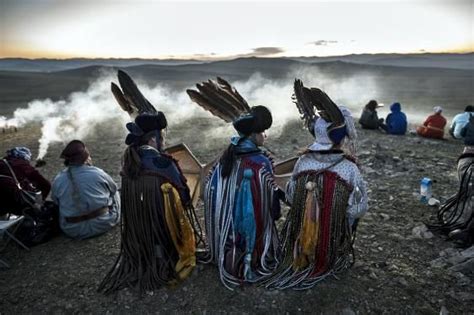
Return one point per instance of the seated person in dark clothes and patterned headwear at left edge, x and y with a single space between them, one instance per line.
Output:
17 161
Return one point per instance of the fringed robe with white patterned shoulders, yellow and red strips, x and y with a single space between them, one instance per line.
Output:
327 194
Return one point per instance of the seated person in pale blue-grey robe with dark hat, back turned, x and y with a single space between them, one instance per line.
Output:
87 197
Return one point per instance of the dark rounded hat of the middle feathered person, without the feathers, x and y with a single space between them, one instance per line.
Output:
257 120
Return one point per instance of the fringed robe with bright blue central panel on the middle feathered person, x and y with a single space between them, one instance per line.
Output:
239 212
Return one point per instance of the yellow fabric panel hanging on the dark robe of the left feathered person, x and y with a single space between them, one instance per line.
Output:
181 231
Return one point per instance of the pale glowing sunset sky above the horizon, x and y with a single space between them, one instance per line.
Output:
226 29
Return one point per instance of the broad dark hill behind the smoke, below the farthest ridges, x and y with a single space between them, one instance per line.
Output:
353 82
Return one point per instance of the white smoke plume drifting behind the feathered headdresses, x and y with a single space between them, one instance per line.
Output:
78 116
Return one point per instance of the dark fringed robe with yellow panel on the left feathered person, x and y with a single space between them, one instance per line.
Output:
158 238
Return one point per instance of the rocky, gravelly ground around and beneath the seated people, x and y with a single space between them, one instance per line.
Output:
400 268
